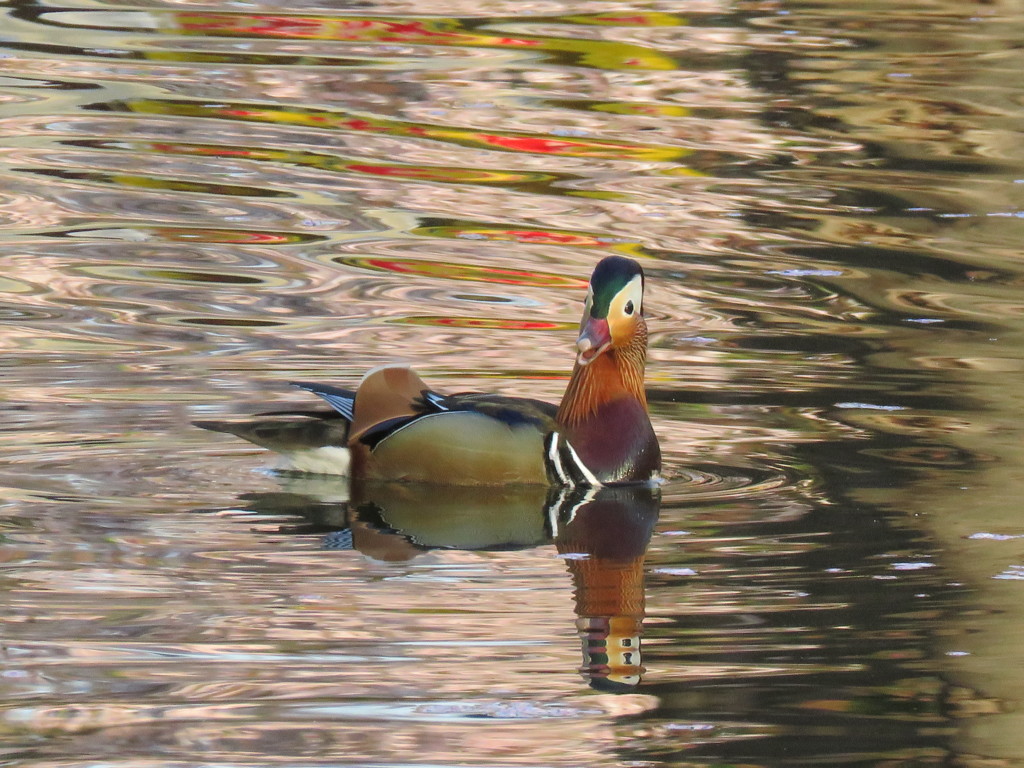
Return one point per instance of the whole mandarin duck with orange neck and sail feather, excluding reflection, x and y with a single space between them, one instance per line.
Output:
396 429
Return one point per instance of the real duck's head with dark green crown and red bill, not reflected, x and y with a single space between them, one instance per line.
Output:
615 309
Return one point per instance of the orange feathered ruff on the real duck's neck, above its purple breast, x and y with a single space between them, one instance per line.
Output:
617 373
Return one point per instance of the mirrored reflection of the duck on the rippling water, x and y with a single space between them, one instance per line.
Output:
603 534
